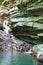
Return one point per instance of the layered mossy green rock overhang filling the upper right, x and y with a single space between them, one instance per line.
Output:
30 14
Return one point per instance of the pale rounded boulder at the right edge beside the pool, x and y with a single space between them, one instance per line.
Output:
38 51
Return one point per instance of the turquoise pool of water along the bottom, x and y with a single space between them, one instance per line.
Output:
16 58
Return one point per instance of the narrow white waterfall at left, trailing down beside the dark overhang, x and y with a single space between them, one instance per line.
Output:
6 29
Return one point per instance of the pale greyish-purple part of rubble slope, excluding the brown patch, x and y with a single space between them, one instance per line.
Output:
8 41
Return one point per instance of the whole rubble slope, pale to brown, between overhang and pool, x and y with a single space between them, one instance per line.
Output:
8 41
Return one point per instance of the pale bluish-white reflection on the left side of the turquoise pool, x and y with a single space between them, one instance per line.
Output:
6 58
